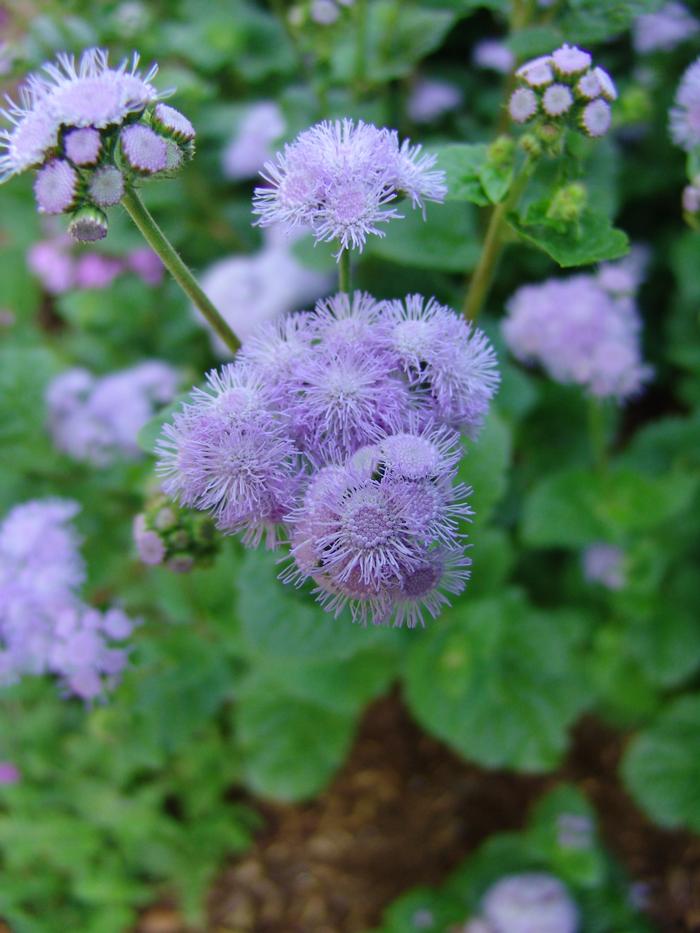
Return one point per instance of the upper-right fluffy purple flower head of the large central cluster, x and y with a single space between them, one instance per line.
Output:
445 356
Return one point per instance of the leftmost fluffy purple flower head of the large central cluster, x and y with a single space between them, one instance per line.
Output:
228 452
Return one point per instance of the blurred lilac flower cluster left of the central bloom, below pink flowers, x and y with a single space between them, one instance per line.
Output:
96 419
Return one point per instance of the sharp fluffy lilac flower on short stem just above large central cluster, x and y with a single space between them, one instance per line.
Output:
341 180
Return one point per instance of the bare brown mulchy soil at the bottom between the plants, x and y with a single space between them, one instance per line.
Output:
405 811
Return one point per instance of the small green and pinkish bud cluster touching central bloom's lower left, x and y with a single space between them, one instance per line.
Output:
179 538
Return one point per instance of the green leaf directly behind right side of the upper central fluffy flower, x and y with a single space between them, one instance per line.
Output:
446 240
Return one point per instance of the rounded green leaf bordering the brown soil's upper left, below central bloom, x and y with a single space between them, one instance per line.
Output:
290 748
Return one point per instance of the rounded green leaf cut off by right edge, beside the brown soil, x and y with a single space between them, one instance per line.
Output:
661 766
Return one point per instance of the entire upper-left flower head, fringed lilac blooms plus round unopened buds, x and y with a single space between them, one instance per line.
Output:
91 132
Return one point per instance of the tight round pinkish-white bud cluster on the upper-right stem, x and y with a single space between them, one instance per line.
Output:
564 88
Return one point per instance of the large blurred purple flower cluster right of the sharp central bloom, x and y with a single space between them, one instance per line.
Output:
583 329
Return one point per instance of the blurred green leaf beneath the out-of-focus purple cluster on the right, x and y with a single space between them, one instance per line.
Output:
576 507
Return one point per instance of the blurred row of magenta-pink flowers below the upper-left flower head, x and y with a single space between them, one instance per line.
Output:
60 268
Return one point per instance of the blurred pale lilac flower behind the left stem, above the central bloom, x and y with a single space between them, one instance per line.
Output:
248 290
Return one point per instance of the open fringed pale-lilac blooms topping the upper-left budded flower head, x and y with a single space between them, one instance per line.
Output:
86 93
